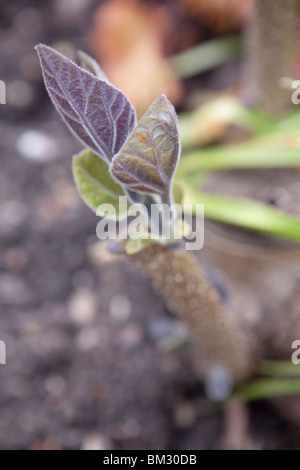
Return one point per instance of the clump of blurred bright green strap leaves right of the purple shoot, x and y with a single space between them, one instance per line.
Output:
275 144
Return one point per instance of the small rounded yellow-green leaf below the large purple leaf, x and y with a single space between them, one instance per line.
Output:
94 181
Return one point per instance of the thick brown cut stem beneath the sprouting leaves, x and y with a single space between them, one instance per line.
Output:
177 276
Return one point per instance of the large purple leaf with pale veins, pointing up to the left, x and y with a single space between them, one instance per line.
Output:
99 114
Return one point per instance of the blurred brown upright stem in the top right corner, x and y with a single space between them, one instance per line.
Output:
269 46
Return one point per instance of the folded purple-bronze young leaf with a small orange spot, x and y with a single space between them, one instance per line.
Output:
149 156
